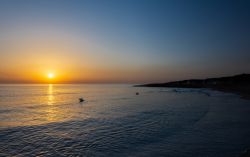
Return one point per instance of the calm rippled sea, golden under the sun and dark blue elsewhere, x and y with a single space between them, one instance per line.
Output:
48 120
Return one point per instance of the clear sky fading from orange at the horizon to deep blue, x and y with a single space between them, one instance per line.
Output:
127 41
